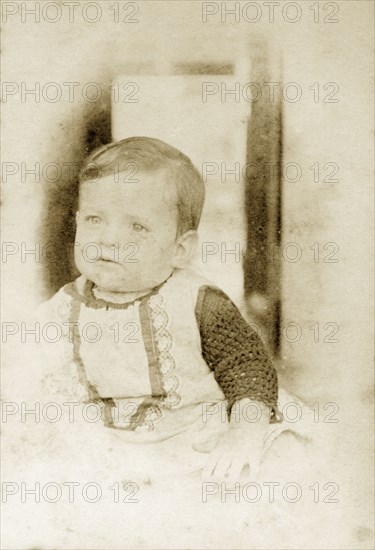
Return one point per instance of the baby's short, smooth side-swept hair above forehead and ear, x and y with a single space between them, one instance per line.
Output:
152 154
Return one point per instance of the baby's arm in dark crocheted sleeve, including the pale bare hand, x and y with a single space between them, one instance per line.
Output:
247 378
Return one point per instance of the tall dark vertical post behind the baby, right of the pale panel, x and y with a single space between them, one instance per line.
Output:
263 194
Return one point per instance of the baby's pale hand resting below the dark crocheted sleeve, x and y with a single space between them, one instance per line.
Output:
232 454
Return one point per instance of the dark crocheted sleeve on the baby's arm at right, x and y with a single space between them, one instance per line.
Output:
234 351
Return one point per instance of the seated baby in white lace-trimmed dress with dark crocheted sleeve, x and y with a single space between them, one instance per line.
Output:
164 352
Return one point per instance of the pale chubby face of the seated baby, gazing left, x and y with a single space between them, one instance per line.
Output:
126 237
